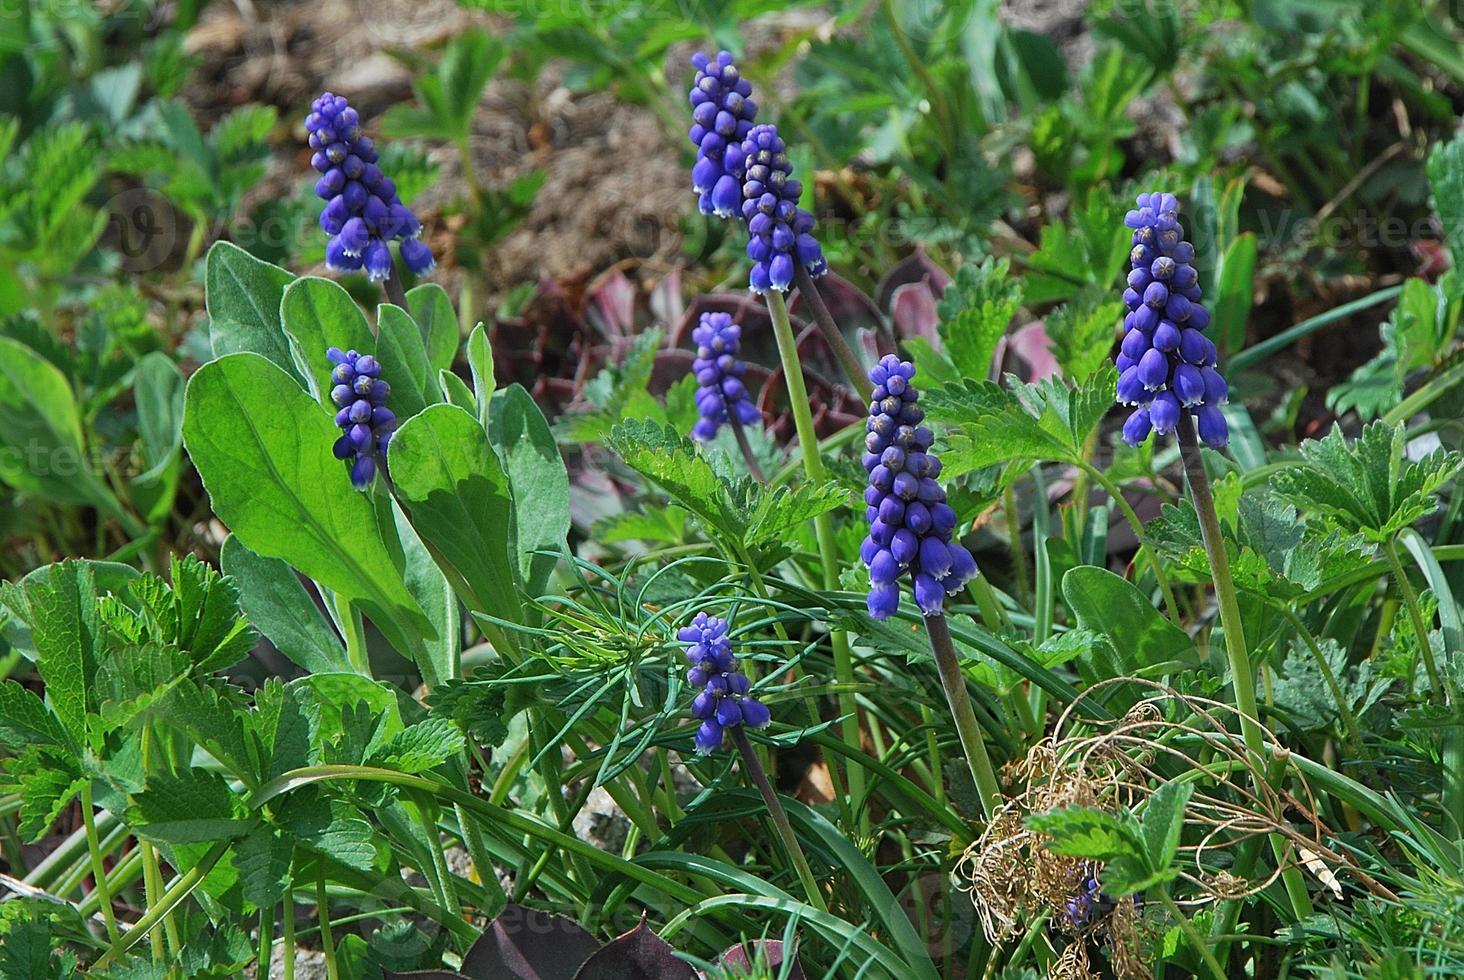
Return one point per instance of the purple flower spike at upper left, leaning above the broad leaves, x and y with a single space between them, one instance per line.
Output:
362 210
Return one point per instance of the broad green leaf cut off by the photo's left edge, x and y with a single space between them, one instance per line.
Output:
42 449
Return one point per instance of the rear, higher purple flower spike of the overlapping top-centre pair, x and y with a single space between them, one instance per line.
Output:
722 116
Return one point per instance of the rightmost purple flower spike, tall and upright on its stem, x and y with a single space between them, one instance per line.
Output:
1166 363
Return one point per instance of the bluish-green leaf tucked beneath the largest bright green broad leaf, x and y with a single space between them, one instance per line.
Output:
279 604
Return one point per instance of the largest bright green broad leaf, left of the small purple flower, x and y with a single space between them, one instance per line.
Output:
263 449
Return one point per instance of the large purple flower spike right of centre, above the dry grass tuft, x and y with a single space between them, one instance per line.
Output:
910 521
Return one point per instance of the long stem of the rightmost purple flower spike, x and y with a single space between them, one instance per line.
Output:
1242 678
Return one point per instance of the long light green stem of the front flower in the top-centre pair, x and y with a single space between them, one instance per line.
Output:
823 525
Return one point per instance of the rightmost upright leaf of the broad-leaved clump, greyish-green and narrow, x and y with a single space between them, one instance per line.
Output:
539 483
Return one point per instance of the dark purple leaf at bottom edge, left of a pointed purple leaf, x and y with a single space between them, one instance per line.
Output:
525 944
